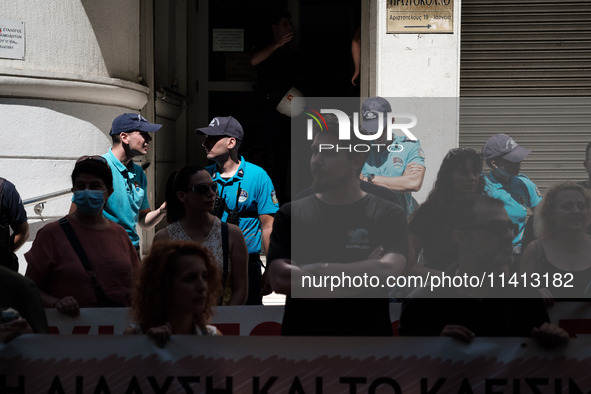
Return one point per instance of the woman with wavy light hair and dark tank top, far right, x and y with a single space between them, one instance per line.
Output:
563 250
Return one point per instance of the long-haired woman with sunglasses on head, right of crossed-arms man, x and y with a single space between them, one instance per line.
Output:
459 175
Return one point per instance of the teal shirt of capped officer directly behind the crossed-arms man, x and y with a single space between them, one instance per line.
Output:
393 161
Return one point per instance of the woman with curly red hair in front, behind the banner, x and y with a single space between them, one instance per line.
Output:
176 288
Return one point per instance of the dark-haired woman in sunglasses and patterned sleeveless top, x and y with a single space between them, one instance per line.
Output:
190 197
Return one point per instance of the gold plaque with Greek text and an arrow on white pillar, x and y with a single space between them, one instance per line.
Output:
420 16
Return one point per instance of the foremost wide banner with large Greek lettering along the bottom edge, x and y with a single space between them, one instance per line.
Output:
133 364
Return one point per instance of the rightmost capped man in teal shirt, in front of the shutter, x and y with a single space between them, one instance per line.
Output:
504 156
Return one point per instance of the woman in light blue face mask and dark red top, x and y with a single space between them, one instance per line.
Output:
84 260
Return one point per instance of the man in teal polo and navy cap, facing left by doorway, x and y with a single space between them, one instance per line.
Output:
246 195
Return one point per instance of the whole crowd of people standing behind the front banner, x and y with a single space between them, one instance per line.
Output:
357 217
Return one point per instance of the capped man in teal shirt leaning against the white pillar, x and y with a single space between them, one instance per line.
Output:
400 167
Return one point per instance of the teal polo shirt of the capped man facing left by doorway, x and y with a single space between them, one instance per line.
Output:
257 197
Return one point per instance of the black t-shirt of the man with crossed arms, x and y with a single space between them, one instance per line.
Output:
309 231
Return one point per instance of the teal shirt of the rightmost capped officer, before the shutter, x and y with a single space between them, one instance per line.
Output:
518 195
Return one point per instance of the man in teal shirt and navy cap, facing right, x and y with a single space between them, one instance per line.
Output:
129 205
